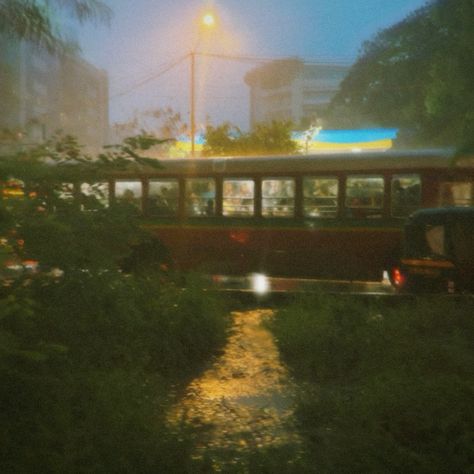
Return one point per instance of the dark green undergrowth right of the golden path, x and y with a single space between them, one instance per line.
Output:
387 388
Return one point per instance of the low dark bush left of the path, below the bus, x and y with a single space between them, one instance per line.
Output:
87 363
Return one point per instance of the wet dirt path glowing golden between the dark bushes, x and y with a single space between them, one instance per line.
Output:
245 400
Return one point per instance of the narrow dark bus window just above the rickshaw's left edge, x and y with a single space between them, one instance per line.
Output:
405 194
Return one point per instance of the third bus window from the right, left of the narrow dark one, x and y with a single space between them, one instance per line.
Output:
364 196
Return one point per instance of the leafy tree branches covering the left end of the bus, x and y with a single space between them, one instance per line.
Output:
43 223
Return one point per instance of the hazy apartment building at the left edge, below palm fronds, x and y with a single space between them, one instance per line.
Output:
41 94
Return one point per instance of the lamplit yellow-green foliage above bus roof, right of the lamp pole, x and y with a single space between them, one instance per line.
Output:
265 139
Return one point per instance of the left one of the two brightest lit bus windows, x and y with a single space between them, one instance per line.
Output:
238 197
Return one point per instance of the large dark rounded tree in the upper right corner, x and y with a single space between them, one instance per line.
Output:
418 75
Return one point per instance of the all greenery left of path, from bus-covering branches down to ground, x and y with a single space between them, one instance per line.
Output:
90 356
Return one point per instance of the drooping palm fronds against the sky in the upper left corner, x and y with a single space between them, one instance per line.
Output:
32 20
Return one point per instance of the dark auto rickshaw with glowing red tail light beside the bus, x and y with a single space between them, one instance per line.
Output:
438 251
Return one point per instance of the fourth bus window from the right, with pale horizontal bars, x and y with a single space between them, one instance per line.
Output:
320 196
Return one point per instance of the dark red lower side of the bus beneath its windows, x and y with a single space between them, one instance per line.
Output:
330 253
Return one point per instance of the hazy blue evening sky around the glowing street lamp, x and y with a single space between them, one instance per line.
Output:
146 37
